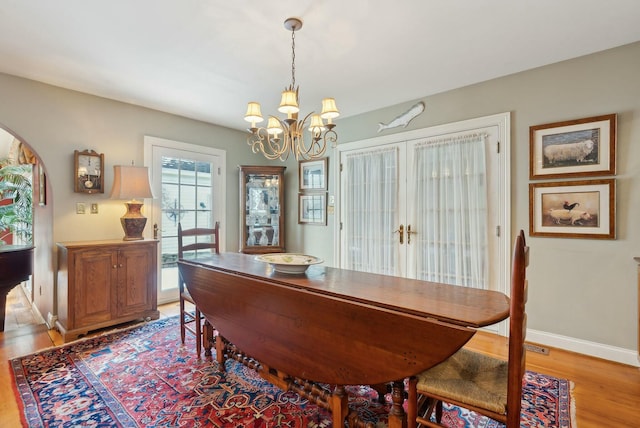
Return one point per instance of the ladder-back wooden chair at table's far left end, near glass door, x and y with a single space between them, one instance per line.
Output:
192 243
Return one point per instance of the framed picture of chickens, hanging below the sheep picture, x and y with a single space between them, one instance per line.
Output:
573 209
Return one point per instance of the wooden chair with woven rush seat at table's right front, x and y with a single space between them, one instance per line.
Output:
478 382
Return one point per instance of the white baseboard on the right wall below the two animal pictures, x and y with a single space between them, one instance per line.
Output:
599 350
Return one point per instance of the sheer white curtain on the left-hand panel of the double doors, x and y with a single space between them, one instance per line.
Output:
370 211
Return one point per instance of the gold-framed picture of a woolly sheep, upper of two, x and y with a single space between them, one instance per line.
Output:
575 148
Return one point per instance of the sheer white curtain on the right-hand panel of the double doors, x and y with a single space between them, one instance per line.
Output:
450 210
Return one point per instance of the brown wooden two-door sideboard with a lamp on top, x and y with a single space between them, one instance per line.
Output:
104 283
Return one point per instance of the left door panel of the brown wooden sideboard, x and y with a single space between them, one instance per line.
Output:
93 293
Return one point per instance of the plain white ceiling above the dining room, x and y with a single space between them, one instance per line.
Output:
205 59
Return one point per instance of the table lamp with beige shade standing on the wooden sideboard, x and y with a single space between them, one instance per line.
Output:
131 183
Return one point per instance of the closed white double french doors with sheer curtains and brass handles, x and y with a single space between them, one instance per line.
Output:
429 204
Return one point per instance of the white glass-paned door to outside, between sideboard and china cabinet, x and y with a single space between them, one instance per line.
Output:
188 184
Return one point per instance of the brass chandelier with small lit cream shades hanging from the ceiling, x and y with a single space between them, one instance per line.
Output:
282 137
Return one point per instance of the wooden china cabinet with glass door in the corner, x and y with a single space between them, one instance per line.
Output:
261 209
